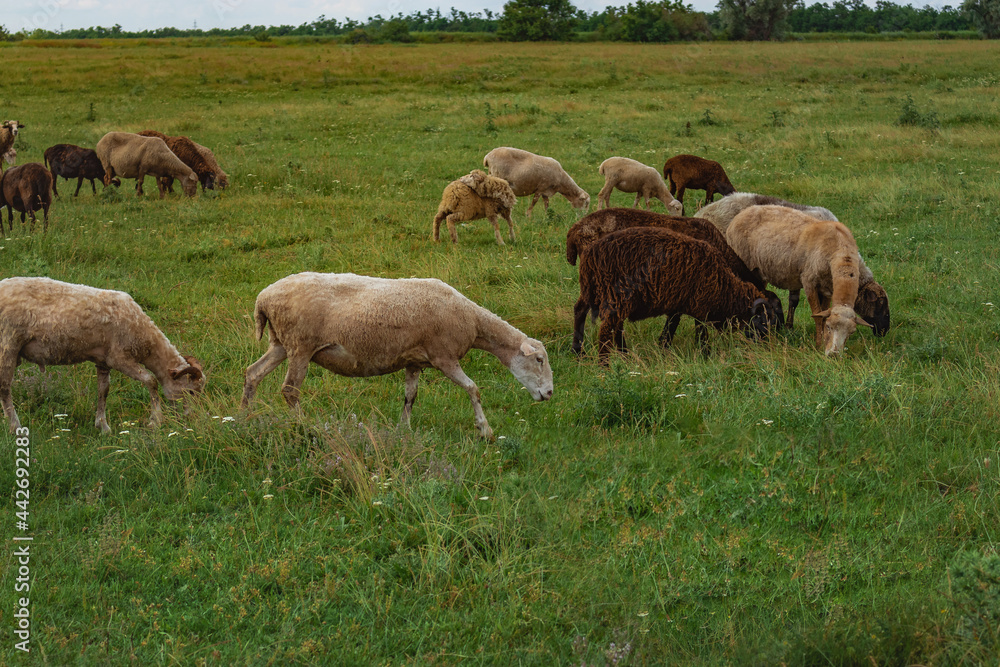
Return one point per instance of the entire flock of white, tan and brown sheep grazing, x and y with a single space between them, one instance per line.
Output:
634 264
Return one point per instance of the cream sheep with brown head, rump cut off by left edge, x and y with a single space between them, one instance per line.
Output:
51 323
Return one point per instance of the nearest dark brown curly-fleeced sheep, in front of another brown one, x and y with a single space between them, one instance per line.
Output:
644 272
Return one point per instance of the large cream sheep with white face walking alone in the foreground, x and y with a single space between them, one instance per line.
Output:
359 326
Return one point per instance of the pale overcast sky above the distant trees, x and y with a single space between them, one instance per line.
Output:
64 14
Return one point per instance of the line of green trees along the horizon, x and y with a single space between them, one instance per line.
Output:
638 21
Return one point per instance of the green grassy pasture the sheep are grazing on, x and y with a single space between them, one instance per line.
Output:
765 505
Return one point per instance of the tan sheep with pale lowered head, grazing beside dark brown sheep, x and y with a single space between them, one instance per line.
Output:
793 251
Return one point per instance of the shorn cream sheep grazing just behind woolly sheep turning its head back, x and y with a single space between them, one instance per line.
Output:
530 174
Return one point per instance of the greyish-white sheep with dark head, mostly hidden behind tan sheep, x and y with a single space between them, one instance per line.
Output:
872 303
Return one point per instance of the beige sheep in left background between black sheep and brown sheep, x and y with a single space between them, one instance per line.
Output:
131 156
